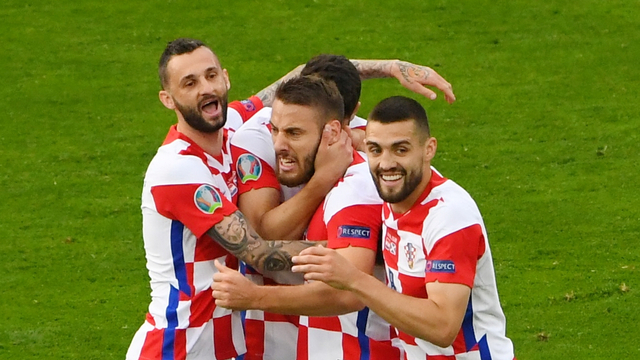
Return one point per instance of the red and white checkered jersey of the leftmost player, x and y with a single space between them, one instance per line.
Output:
186 191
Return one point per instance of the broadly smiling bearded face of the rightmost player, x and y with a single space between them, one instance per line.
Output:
399 161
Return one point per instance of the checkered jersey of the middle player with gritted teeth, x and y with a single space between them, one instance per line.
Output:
349 216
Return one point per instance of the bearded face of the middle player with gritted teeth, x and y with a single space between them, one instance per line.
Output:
296 133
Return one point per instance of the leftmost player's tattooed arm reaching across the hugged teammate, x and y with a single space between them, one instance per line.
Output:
271 258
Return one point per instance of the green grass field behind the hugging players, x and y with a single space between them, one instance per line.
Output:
544 135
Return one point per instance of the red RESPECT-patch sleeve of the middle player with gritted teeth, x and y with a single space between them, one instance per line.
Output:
357 225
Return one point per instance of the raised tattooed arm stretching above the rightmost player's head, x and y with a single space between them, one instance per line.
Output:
411 76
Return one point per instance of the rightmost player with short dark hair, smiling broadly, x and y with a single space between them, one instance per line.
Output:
441 295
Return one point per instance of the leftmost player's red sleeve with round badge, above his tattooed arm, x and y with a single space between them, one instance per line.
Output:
198 206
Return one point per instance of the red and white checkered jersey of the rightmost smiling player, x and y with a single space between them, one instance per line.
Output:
442 238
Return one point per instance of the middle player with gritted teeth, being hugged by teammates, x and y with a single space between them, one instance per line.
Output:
349 219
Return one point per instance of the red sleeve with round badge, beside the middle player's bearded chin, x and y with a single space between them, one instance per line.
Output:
252 171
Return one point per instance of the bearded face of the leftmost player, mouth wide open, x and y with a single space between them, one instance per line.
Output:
197 88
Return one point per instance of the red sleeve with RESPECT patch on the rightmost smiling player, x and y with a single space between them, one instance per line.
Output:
454 257
